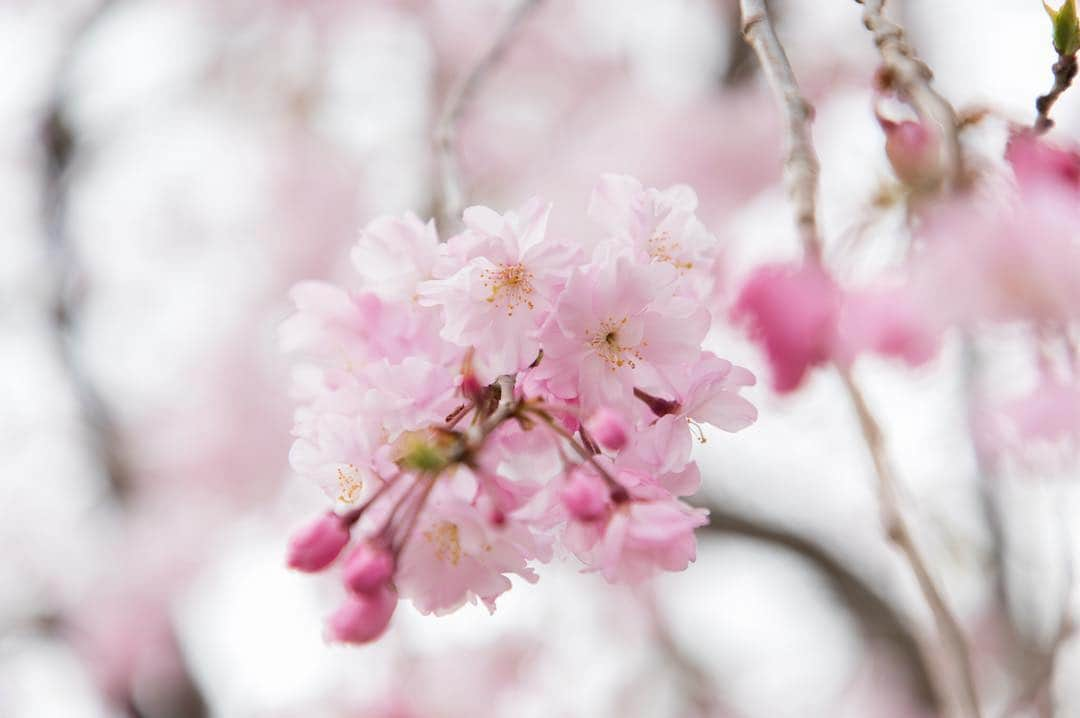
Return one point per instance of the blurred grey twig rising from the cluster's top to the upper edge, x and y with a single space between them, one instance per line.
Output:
451 200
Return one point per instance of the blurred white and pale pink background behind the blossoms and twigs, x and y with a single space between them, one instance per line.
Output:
170 168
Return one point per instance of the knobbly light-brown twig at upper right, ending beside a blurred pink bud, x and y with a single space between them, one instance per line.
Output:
912 77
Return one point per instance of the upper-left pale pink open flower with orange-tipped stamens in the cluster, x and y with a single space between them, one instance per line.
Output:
498 301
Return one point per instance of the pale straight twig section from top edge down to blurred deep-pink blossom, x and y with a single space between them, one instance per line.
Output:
801 168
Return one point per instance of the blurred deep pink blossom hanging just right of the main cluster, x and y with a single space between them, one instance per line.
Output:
792 310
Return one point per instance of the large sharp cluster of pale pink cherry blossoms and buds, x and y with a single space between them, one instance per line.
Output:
478 404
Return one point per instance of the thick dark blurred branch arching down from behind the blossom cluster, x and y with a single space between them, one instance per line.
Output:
876 618
